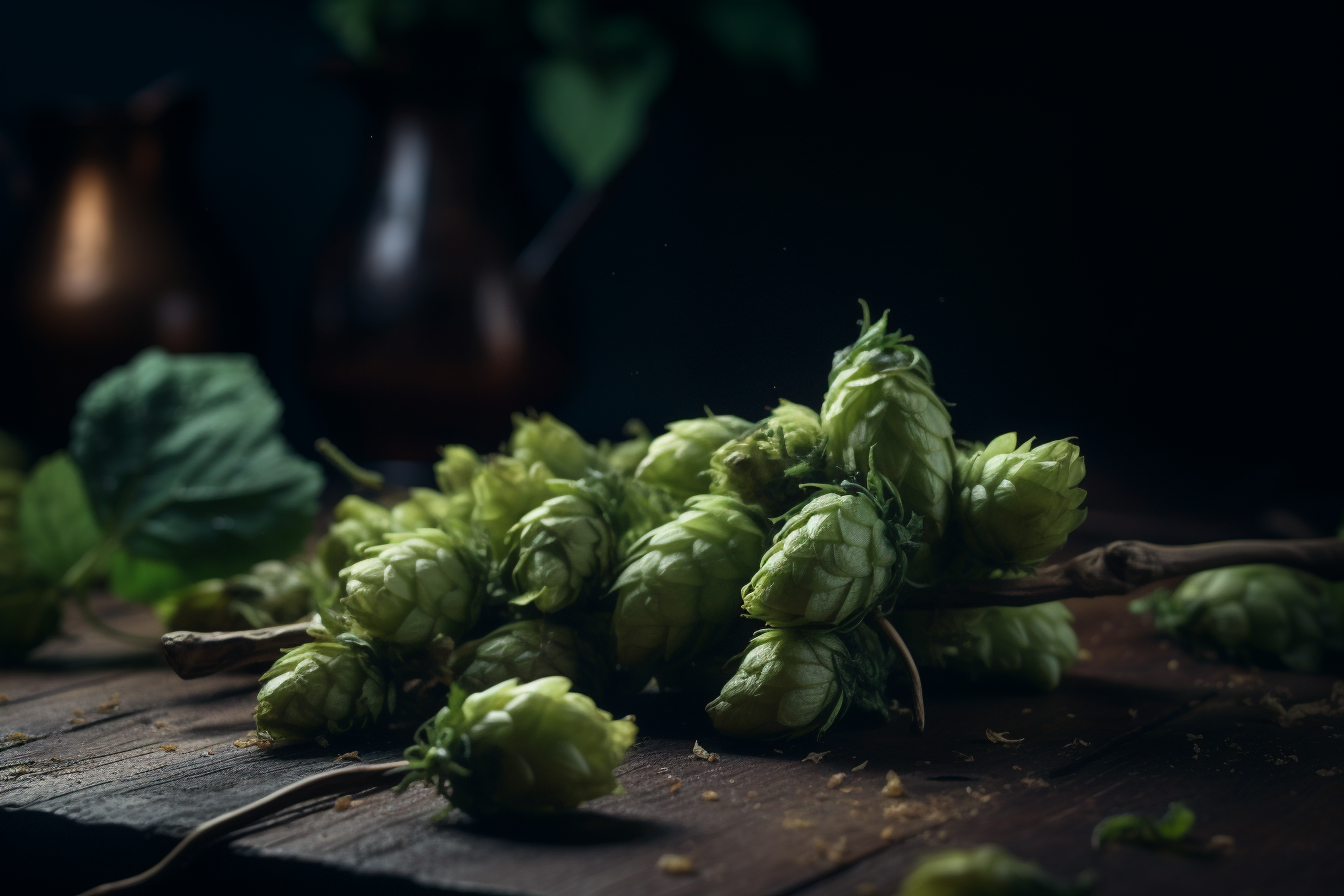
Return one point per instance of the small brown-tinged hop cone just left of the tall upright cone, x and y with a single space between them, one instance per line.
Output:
768 465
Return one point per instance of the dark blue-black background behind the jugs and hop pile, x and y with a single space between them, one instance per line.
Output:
1120 228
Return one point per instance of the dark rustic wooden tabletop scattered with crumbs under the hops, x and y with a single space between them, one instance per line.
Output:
119 758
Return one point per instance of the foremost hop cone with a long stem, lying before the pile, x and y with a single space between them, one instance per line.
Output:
521 749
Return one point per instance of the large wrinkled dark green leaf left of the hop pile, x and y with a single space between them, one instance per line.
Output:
186 465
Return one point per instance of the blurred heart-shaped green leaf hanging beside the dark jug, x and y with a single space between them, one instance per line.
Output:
589 105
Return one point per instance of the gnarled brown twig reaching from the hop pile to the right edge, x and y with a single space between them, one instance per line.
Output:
1122 568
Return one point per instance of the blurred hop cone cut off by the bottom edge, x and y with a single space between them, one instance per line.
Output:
984 871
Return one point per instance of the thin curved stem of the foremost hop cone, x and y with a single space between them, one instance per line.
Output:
311 788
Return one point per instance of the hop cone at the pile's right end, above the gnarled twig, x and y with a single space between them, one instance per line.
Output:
1017 503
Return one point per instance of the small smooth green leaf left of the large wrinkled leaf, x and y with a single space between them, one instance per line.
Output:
56 521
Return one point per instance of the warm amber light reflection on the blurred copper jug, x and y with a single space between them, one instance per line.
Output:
84 257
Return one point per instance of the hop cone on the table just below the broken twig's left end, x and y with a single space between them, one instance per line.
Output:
323 687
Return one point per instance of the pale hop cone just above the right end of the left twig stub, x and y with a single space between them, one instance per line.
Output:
420 586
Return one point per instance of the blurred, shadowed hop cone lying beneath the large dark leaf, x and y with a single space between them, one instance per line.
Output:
272 593
